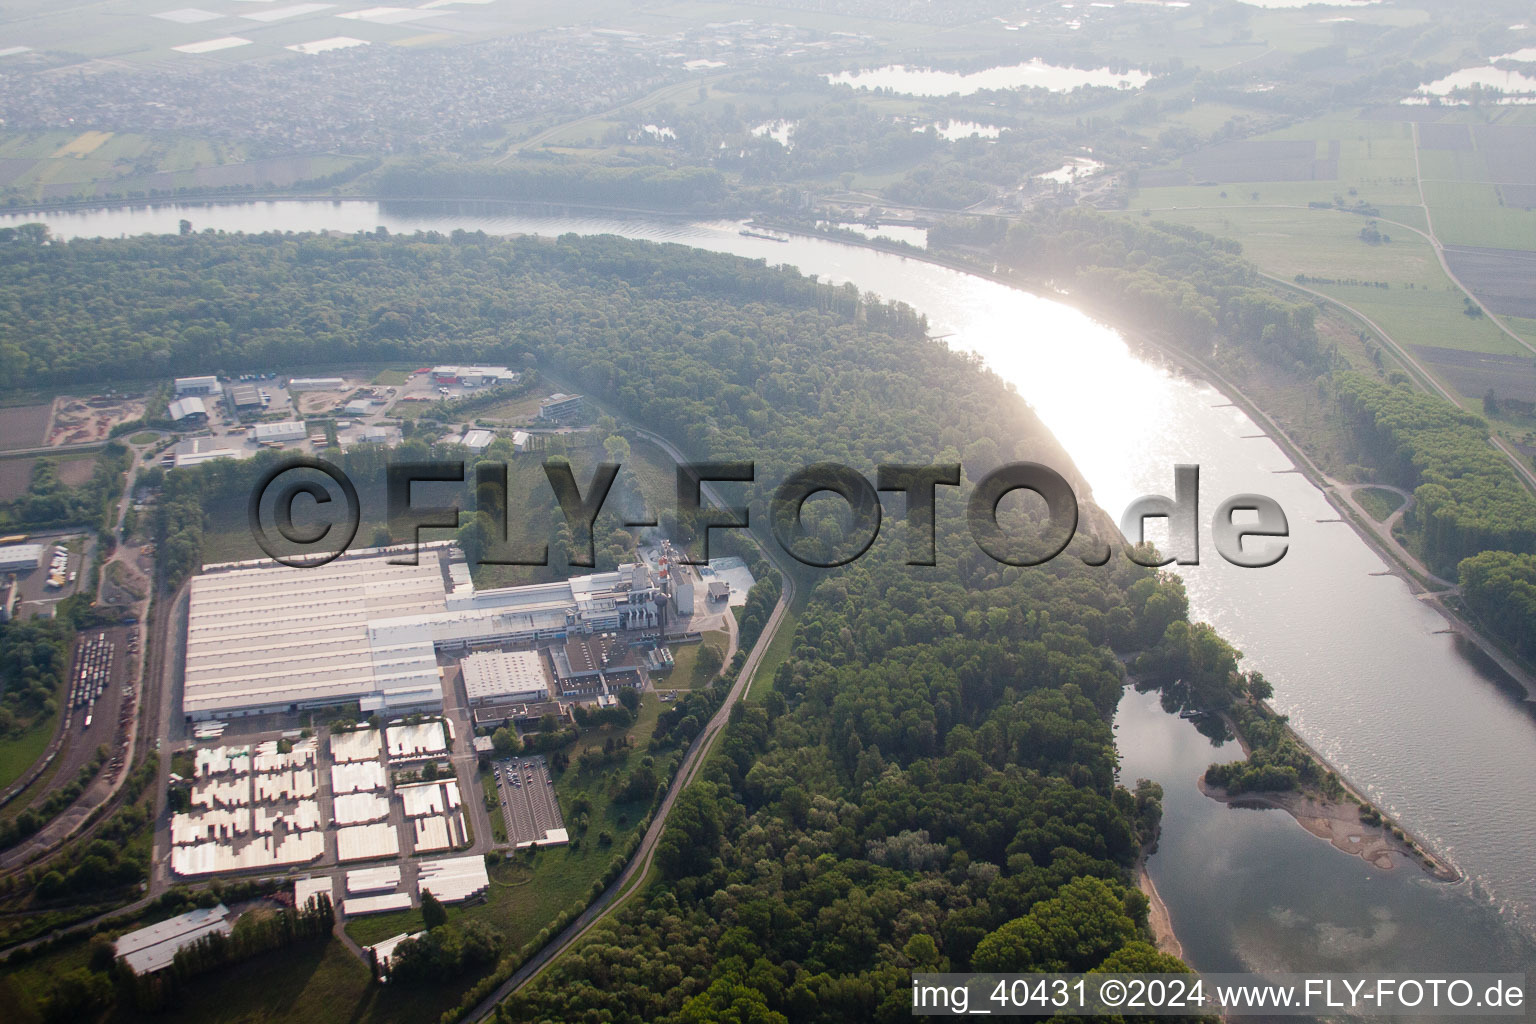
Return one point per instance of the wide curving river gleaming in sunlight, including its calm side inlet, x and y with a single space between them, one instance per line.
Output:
1357 662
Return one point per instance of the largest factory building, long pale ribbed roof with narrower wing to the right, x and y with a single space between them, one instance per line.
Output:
268 638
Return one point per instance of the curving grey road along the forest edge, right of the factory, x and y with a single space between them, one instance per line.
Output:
694 761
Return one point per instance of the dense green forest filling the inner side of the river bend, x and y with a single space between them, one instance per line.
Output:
929 781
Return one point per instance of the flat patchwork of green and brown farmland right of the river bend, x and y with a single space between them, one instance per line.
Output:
1334 205
